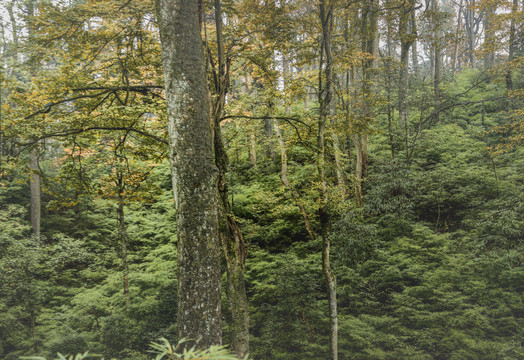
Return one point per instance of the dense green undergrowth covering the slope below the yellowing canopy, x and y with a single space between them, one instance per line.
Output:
430 267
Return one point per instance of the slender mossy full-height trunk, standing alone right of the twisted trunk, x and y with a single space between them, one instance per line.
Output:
325 100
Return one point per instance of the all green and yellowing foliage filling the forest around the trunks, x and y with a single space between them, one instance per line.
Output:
430 267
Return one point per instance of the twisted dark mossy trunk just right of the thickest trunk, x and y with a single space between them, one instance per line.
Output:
229 231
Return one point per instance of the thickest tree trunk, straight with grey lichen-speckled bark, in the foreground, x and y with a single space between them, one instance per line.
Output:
194 173
